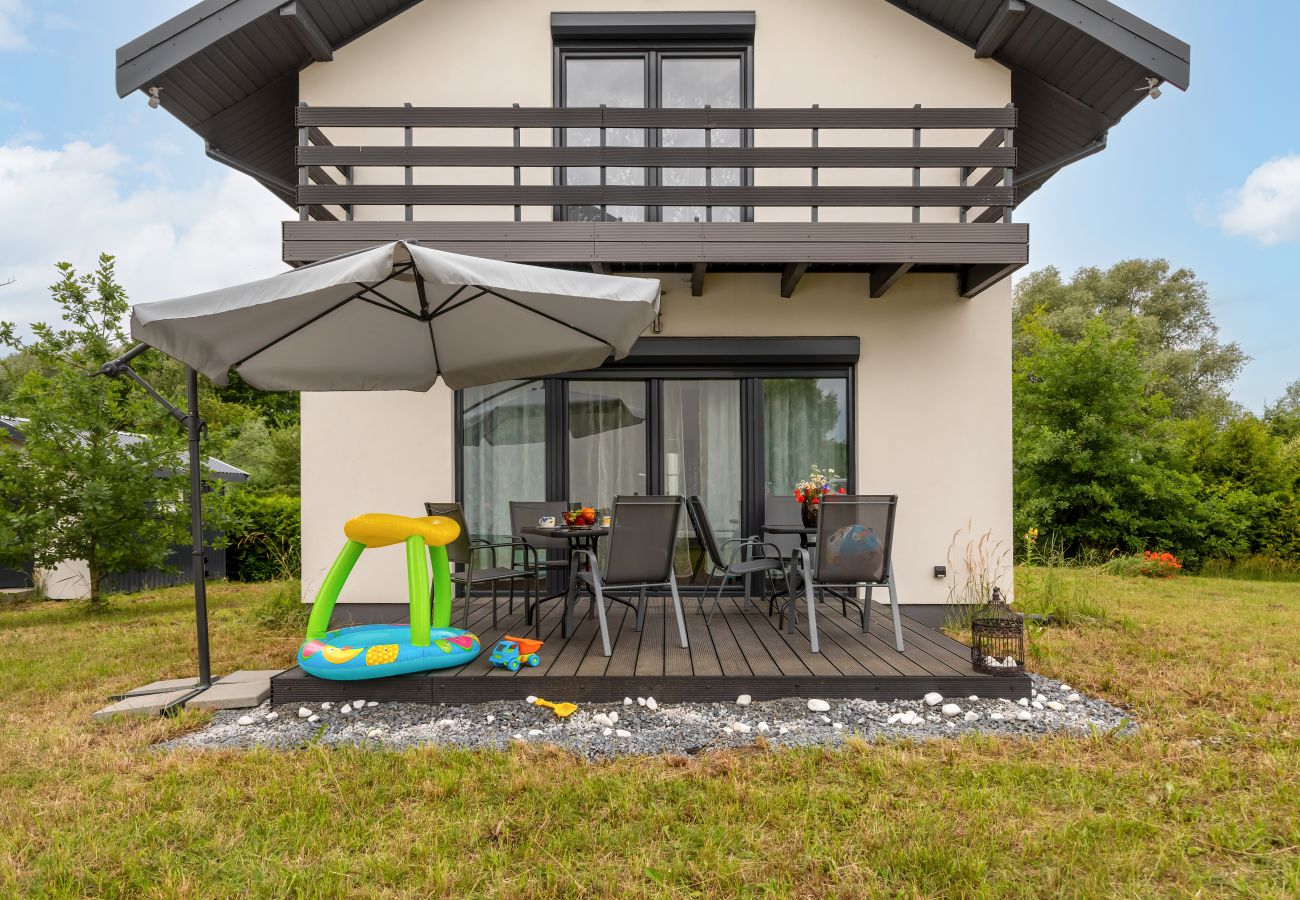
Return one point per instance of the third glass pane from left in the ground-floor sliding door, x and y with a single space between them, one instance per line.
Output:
701 449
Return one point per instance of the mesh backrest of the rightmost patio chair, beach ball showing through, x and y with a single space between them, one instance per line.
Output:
855 539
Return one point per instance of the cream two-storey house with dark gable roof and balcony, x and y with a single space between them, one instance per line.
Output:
826 188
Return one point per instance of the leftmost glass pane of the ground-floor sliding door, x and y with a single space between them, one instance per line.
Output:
504 429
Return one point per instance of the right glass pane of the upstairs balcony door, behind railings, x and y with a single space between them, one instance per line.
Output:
695 84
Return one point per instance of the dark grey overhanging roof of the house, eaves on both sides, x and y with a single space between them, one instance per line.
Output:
229 71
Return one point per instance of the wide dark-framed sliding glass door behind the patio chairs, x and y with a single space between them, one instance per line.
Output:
733 439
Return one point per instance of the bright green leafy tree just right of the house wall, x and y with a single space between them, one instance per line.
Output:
1094 464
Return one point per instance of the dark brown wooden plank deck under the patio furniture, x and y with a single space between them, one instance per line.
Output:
740 652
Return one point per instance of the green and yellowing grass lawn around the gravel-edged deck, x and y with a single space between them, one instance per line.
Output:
1204 801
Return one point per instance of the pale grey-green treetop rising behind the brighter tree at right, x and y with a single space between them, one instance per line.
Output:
1165 313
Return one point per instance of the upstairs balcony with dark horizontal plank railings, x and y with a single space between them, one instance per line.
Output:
933 193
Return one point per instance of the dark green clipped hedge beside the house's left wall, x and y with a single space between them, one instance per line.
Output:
266 538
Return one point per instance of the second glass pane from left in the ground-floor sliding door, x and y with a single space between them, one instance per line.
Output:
608 442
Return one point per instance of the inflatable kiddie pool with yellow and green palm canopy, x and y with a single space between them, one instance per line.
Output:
362 652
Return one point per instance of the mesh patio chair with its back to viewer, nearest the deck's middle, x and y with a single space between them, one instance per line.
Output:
640 557
